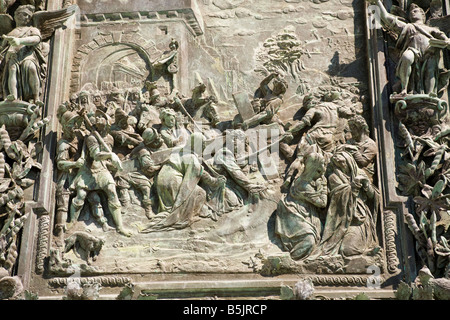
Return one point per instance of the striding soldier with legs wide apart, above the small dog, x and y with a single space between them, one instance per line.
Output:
95 175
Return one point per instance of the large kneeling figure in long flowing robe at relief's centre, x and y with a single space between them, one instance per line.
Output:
181 199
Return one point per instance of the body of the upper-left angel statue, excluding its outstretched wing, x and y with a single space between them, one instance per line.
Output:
24 64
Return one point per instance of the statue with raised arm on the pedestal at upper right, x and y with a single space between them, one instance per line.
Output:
418 67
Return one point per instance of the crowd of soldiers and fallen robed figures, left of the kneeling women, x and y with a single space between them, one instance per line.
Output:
139 140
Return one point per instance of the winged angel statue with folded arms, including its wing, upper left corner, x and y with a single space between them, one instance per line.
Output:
23 52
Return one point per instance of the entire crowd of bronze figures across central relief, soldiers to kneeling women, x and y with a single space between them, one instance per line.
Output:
118 141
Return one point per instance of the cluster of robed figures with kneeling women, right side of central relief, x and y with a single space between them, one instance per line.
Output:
331 206
